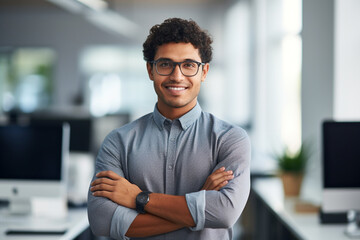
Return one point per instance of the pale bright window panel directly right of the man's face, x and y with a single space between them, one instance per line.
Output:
226 91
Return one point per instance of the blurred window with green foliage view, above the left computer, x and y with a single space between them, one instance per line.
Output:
27 83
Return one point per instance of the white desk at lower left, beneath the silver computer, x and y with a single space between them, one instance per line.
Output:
75 223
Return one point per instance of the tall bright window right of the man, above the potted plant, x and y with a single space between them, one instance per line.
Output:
277 75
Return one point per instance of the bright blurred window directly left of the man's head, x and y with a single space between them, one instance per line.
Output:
116 81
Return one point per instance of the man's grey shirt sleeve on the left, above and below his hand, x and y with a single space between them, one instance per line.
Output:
107 218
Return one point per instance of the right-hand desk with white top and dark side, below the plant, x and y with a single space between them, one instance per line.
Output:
276 217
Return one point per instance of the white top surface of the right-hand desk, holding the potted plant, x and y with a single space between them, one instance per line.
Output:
306 226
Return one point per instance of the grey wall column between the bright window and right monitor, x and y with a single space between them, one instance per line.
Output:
317 83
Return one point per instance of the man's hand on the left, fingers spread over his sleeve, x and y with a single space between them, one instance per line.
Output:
116 188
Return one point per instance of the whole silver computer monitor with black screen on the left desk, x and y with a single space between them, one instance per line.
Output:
32 164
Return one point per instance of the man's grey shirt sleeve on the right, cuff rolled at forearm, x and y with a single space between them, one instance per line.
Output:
221 209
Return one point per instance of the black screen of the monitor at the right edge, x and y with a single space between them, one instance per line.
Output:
341 154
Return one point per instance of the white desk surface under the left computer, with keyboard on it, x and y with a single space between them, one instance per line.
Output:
73 225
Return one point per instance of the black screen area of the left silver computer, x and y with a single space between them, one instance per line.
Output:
30 152
